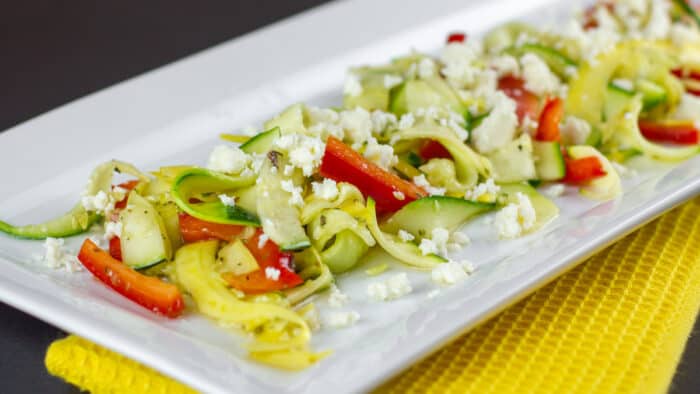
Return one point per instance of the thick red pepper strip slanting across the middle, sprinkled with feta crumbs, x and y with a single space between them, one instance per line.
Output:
341 163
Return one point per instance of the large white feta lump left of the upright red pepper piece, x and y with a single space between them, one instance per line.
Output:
499 127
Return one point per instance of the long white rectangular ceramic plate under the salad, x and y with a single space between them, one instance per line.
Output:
173 115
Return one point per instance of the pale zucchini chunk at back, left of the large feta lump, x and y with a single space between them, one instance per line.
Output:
415 94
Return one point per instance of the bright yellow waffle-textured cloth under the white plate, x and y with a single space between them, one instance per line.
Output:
616 324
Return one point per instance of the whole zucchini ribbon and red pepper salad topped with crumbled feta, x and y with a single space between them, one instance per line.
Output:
420 146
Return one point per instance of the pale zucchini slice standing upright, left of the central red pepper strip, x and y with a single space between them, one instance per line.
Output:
280 220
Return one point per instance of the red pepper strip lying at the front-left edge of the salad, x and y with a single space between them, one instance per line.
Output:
149 292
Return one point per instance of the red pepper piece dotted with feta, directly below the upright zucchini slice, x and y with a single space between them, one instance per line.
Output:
268 255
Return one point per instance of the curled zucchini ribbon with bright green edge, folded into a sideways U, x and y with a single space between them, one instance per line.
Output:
199 180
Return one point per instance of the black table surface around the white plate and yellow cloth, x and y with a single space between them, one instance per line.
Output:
52 52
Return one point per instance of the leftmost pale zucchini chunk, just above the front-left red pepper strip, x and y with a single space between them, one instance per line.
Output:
144 239
